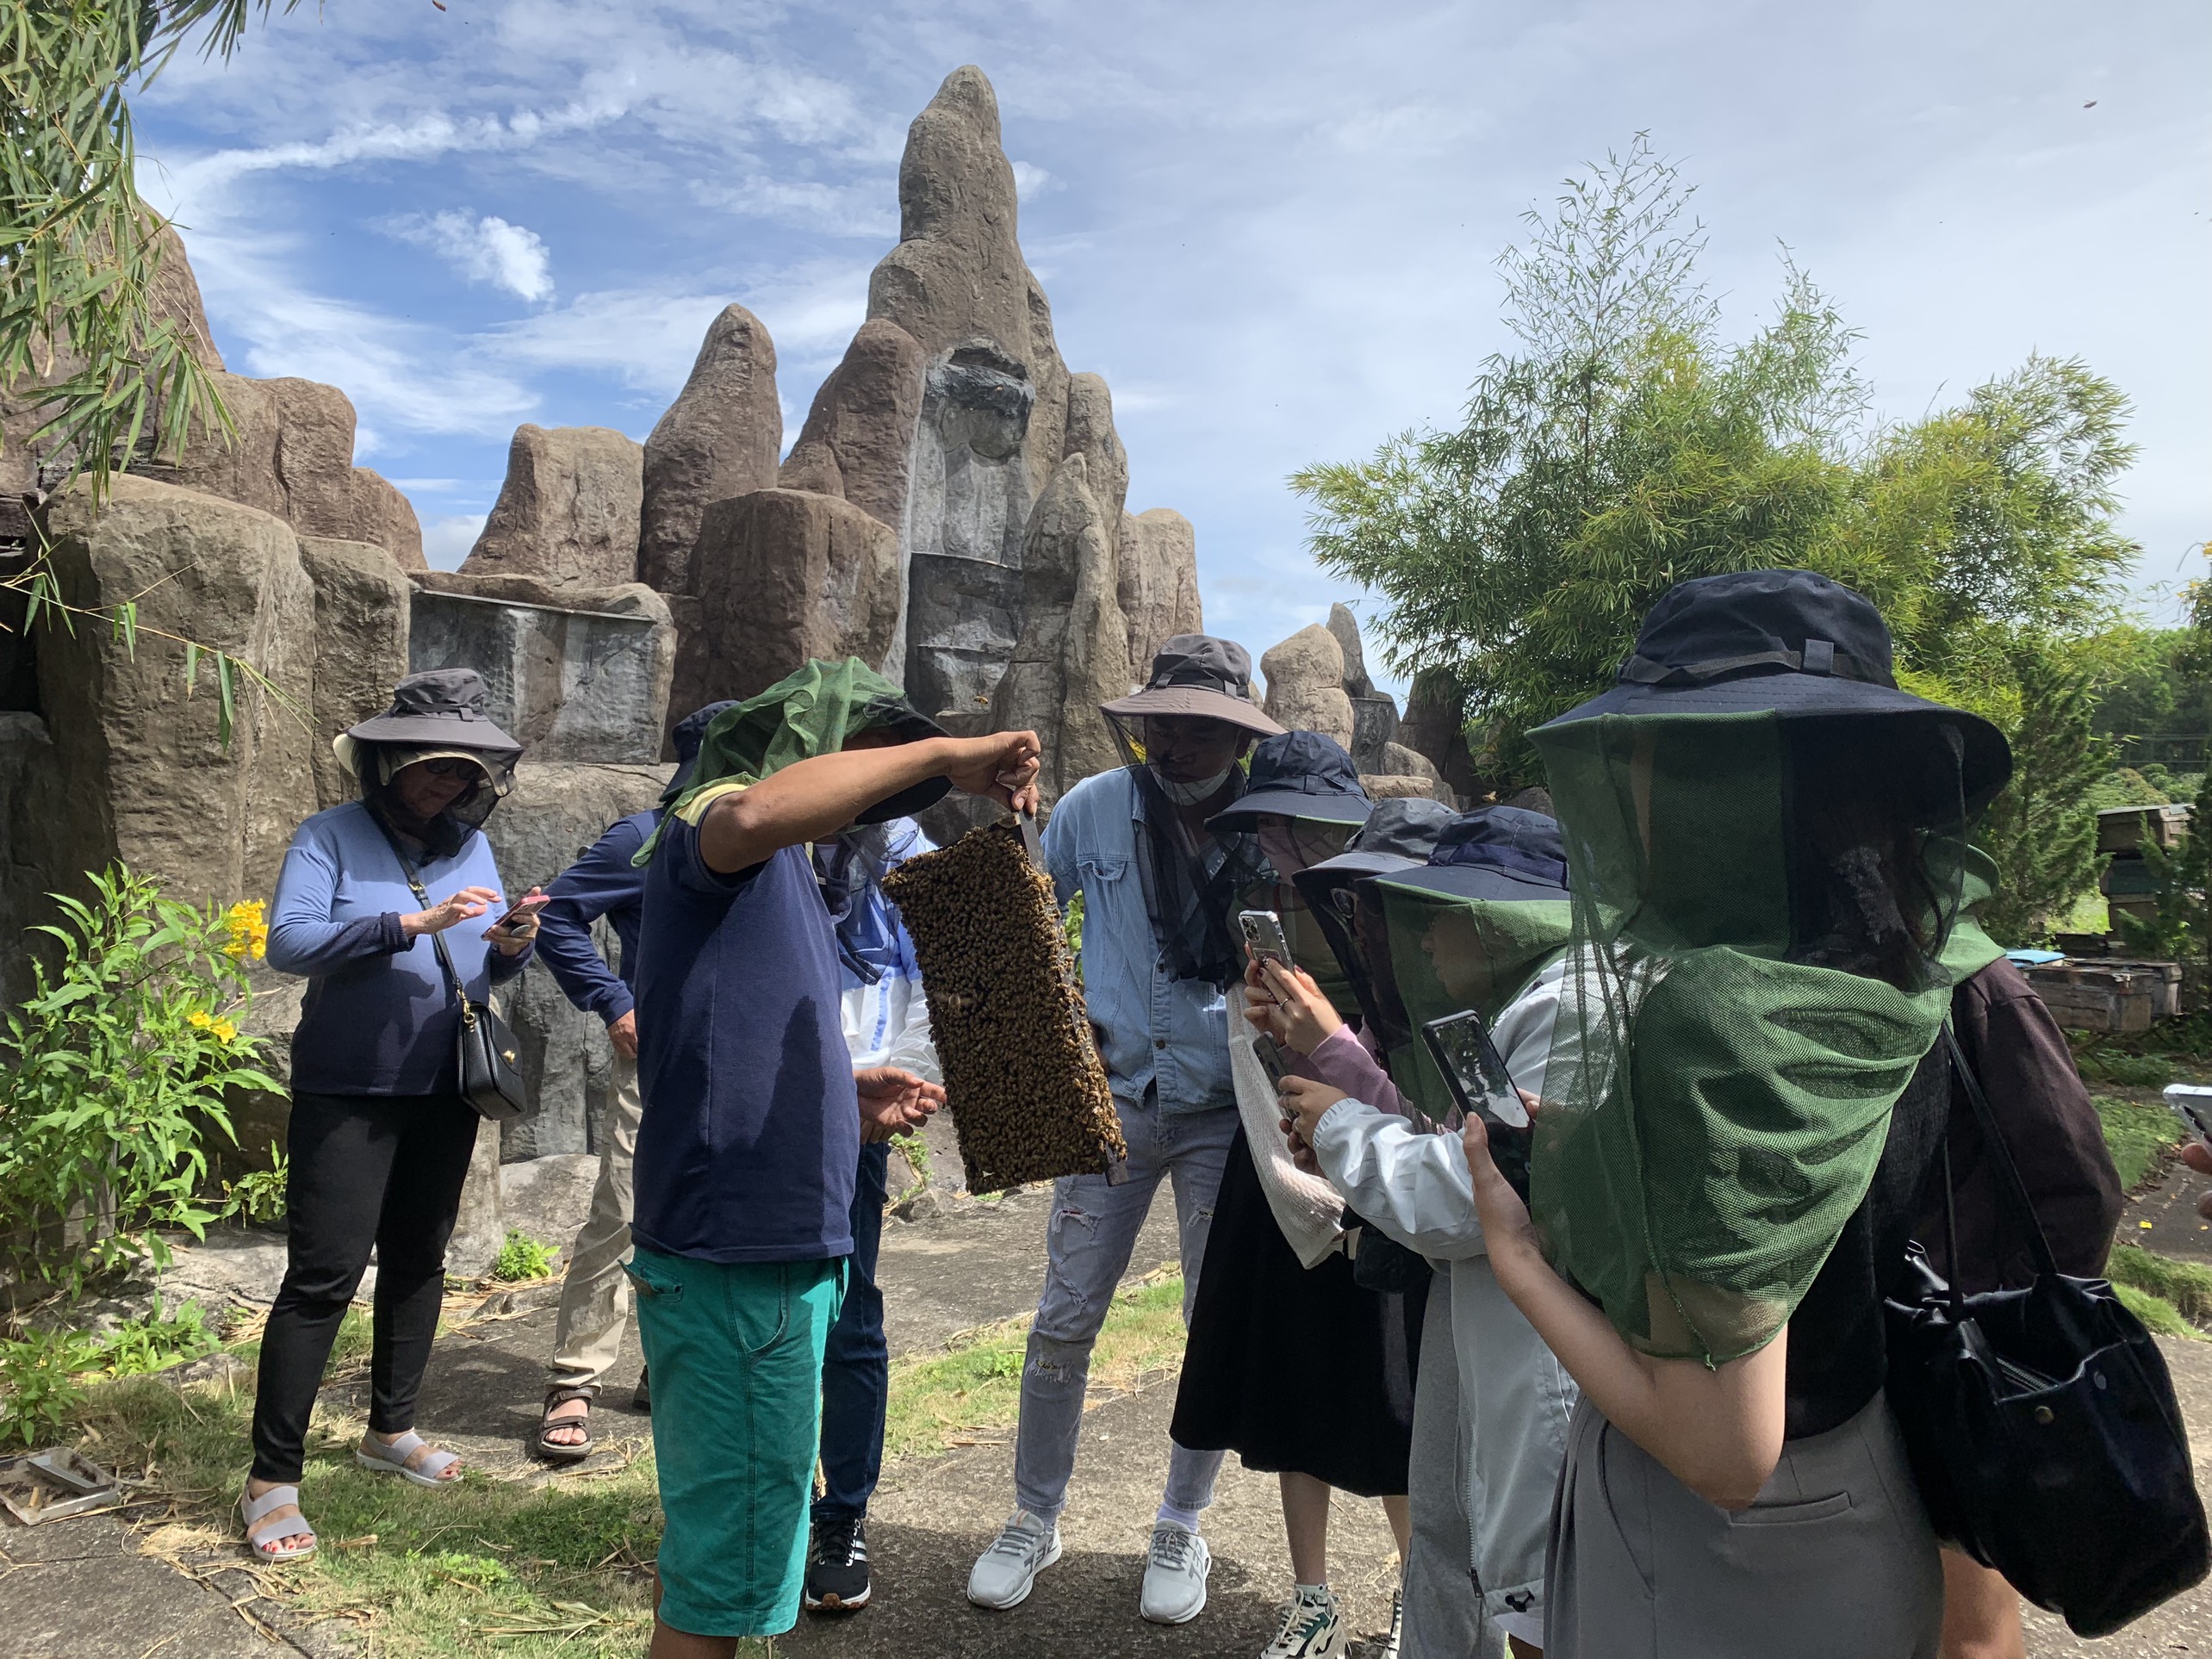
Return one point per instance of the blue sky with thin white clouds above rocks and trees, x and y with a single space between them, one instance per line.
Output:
1271 229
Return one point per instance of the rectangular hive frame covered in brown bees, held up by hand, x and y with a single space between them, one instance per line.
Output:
1023 1076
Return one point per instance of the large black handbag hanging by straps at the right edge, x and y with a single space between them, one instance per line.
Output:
2043 1426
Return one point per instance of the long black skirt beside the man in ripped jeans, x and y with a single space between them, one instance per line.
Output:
1295 1370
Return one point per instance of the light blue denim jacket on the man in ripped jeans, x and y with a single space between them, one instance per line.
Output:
1165 1032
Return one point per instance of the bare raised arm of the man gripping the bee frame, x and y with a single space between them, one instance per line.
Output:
817 797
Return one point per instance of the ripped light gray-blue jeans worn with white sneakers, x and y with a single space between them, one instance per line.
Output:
1087 1251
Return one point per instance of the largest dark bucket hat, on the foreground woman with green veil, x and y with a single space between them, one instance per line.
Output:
1786 643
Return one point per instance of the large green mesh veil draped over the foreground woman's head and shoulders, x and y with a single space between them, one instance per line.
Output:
1764 948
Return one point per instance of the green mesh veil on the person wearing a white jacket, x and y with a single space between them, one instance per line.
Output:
1439 952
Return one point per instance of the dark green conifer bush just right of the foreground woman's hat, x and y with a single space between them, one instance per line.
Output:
2043 831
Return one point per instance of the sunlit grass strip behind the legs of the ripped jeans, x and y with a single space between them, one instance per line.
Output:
950 1399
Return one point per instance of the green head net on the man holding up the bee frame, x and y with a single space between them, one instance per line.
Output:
808 713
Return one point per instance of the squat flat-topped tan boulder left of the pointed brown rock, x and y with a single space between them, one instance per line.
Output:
567 512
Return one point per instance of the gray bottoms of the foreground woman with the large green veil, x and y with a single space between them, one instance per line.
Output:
1833 1563
